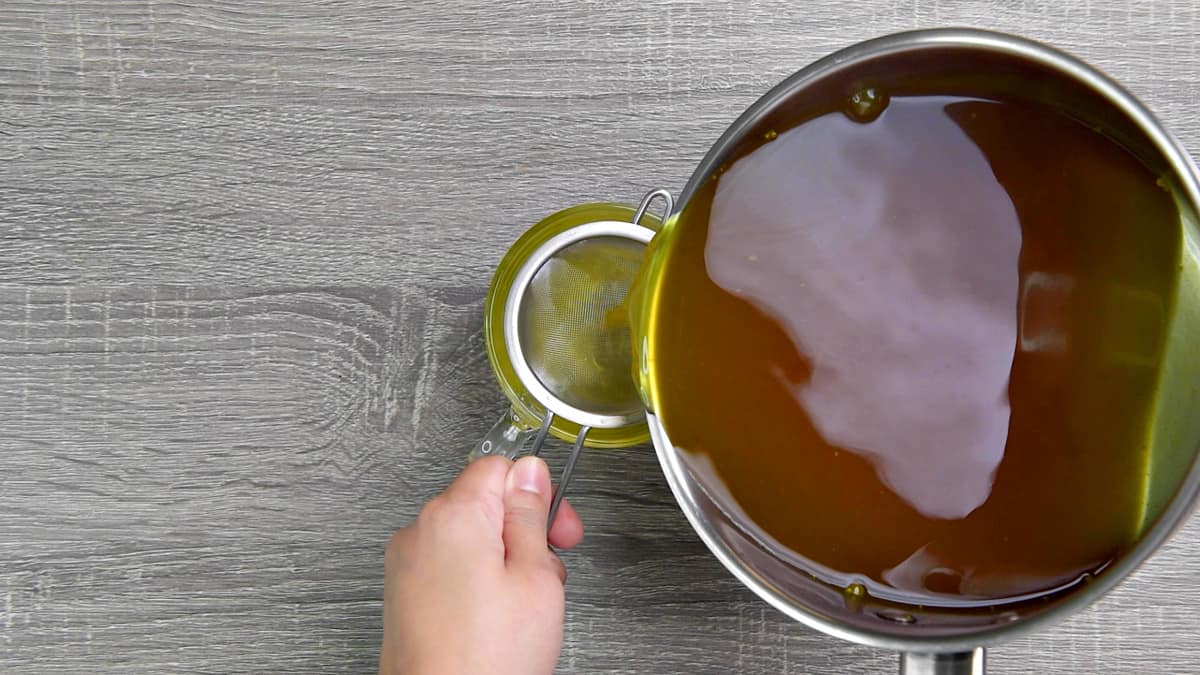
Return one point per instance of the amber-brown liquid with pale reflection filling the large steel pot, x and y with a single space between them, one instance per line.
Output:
917 341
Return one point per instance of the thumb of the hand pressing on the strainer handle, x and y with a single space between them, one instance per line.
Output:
526 509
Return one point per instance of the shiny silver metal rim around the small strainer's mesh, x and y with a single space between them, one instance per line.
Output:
512 326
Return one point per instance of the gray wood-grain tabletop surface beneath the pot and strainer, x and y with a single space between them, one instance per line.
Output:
243 255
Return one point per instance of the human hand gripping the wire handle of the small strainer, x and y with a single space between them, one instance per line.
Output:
472 586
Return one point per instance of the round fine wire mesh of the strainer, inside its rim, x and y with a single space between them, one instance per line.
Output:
574 327
